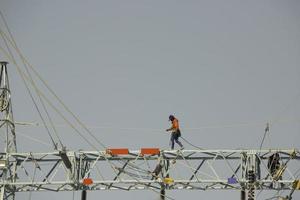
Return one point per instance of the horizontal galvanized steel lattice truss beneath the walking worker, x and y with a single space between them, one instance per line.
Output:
172 169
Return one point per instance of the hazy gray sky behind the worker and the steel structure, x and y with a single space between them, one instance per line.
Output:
224 68
